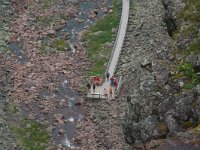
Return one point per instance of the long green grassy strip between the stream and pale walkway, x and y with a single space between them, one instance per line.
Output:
99 34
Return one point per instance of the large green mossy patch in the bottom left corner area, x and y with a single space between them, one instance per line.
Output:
31 135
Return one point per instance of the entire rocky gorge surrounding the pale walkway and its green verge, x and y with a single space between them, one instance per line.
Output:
40 89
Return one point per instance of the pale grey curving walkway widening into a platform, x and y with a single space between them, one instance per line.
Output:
116 51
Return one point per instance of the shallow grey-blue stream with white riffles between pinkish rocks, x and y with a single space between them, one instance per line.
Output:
68 111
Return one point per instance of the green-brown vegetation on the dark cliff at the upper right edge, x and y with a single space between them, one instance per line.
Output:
189 31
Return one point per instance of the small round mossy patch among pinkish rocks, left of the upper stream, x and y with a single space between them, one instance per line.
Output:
60 44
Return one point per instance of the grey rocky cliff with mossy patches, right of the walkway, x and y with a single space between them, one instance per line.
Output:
161 71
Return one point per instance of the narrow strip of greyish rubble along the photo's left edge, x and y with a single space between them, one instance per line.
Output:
6 138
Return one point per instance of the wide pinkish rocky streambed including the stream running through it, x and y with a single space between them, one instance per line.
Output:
46 71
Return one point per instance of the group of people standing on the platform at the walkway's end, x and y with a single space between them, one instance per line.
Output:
113 85
